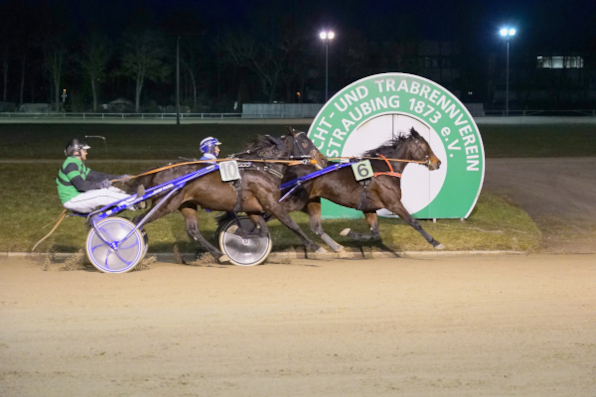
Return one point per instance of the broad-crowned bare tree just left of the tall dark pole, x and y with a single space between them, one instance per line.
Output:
143 58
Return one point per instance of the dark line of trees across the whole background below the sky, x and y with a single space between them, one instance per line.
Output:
275 58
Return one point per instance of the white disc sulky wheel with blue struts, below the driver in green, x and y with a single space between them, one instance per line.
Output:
129 253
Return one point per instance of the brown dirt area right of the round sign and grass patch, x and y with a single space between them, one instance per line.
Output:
559 193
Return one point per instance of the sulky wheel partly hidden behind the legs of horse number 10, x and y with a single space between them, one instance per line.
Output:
244 252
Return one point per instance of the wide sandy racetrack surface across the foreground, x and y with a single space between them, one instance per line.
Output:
464 326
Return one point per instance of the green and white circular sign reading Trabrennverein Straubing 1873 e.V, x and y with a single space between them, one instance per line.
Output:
372 110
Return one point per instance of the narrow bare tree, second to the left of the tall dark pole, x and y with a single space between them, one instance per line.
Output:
96 53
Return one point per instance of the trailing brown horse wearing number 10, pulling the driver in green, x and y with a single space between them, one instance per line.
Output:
256 192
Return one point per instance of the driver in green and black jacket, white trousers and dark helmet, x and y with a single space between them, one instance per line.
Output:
82 189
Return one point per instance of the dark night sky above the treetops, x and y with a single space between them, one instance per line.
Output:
557 24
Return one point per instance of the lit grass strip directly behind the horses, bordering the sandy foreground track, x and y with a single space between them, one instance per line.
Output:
28 201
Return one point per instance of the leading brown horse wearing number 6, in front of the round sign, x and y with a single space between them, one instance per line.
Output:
382 191
